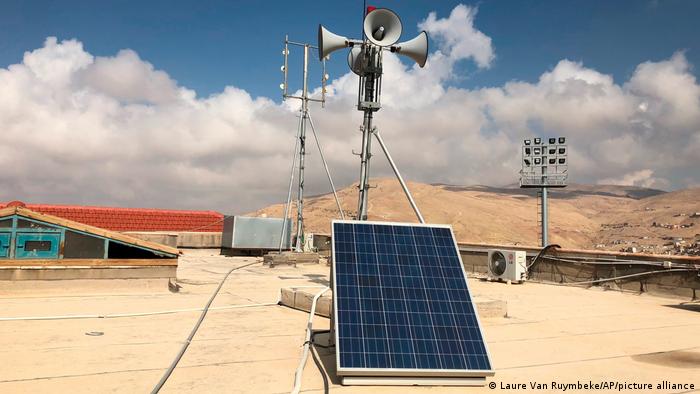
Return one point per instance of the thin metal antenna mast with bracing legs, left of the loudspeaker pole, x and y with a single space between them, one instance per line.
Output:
300 146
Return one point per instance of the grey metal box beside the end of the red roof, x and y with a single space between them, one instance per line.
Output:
242 232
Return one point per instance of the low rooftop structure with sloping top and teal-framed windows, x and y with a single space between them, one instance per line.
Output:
32 244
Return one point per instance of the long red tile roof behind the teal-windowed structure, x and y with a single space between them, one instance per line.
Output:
134 219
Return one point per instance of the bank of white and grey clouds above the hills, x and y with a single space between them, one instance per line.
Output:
116 130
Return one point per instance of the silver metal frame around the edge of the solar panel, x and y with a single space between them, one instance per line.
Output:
403 372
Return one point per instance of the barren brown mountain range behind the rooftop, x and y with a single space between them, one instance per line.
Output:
581 216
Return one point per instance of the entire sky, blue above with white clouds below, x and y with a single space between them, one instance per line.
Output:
187 105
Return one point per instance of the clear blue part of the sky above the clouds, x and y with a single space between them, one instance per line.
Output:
207 45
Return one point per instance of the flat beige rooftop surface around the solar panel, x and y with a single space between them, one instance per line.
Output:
552 334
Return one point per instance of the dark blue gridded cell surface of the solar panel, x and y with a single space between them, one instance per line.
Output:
402 300
